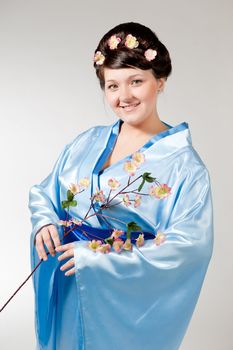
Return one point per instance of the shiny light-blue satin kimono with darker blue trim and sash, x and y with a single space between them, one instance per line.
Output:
139 299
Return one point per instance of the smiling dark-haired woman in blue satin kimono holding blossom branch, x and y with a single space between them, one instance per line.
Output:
140 294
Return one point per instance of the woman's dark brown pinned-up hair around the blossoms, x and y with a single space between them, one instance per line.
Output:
123 57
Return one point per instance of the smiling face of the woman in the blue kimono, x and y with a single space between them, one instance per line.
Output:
132 93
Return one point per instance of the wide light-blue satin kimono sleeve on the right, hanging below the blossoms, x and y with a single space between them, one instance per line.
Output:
154 287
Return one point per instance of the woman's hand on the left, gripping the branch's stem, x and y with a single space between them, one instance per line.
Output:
47 235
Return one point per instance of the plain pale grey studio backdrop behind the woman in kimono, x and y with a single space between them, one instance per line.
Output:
49 93
